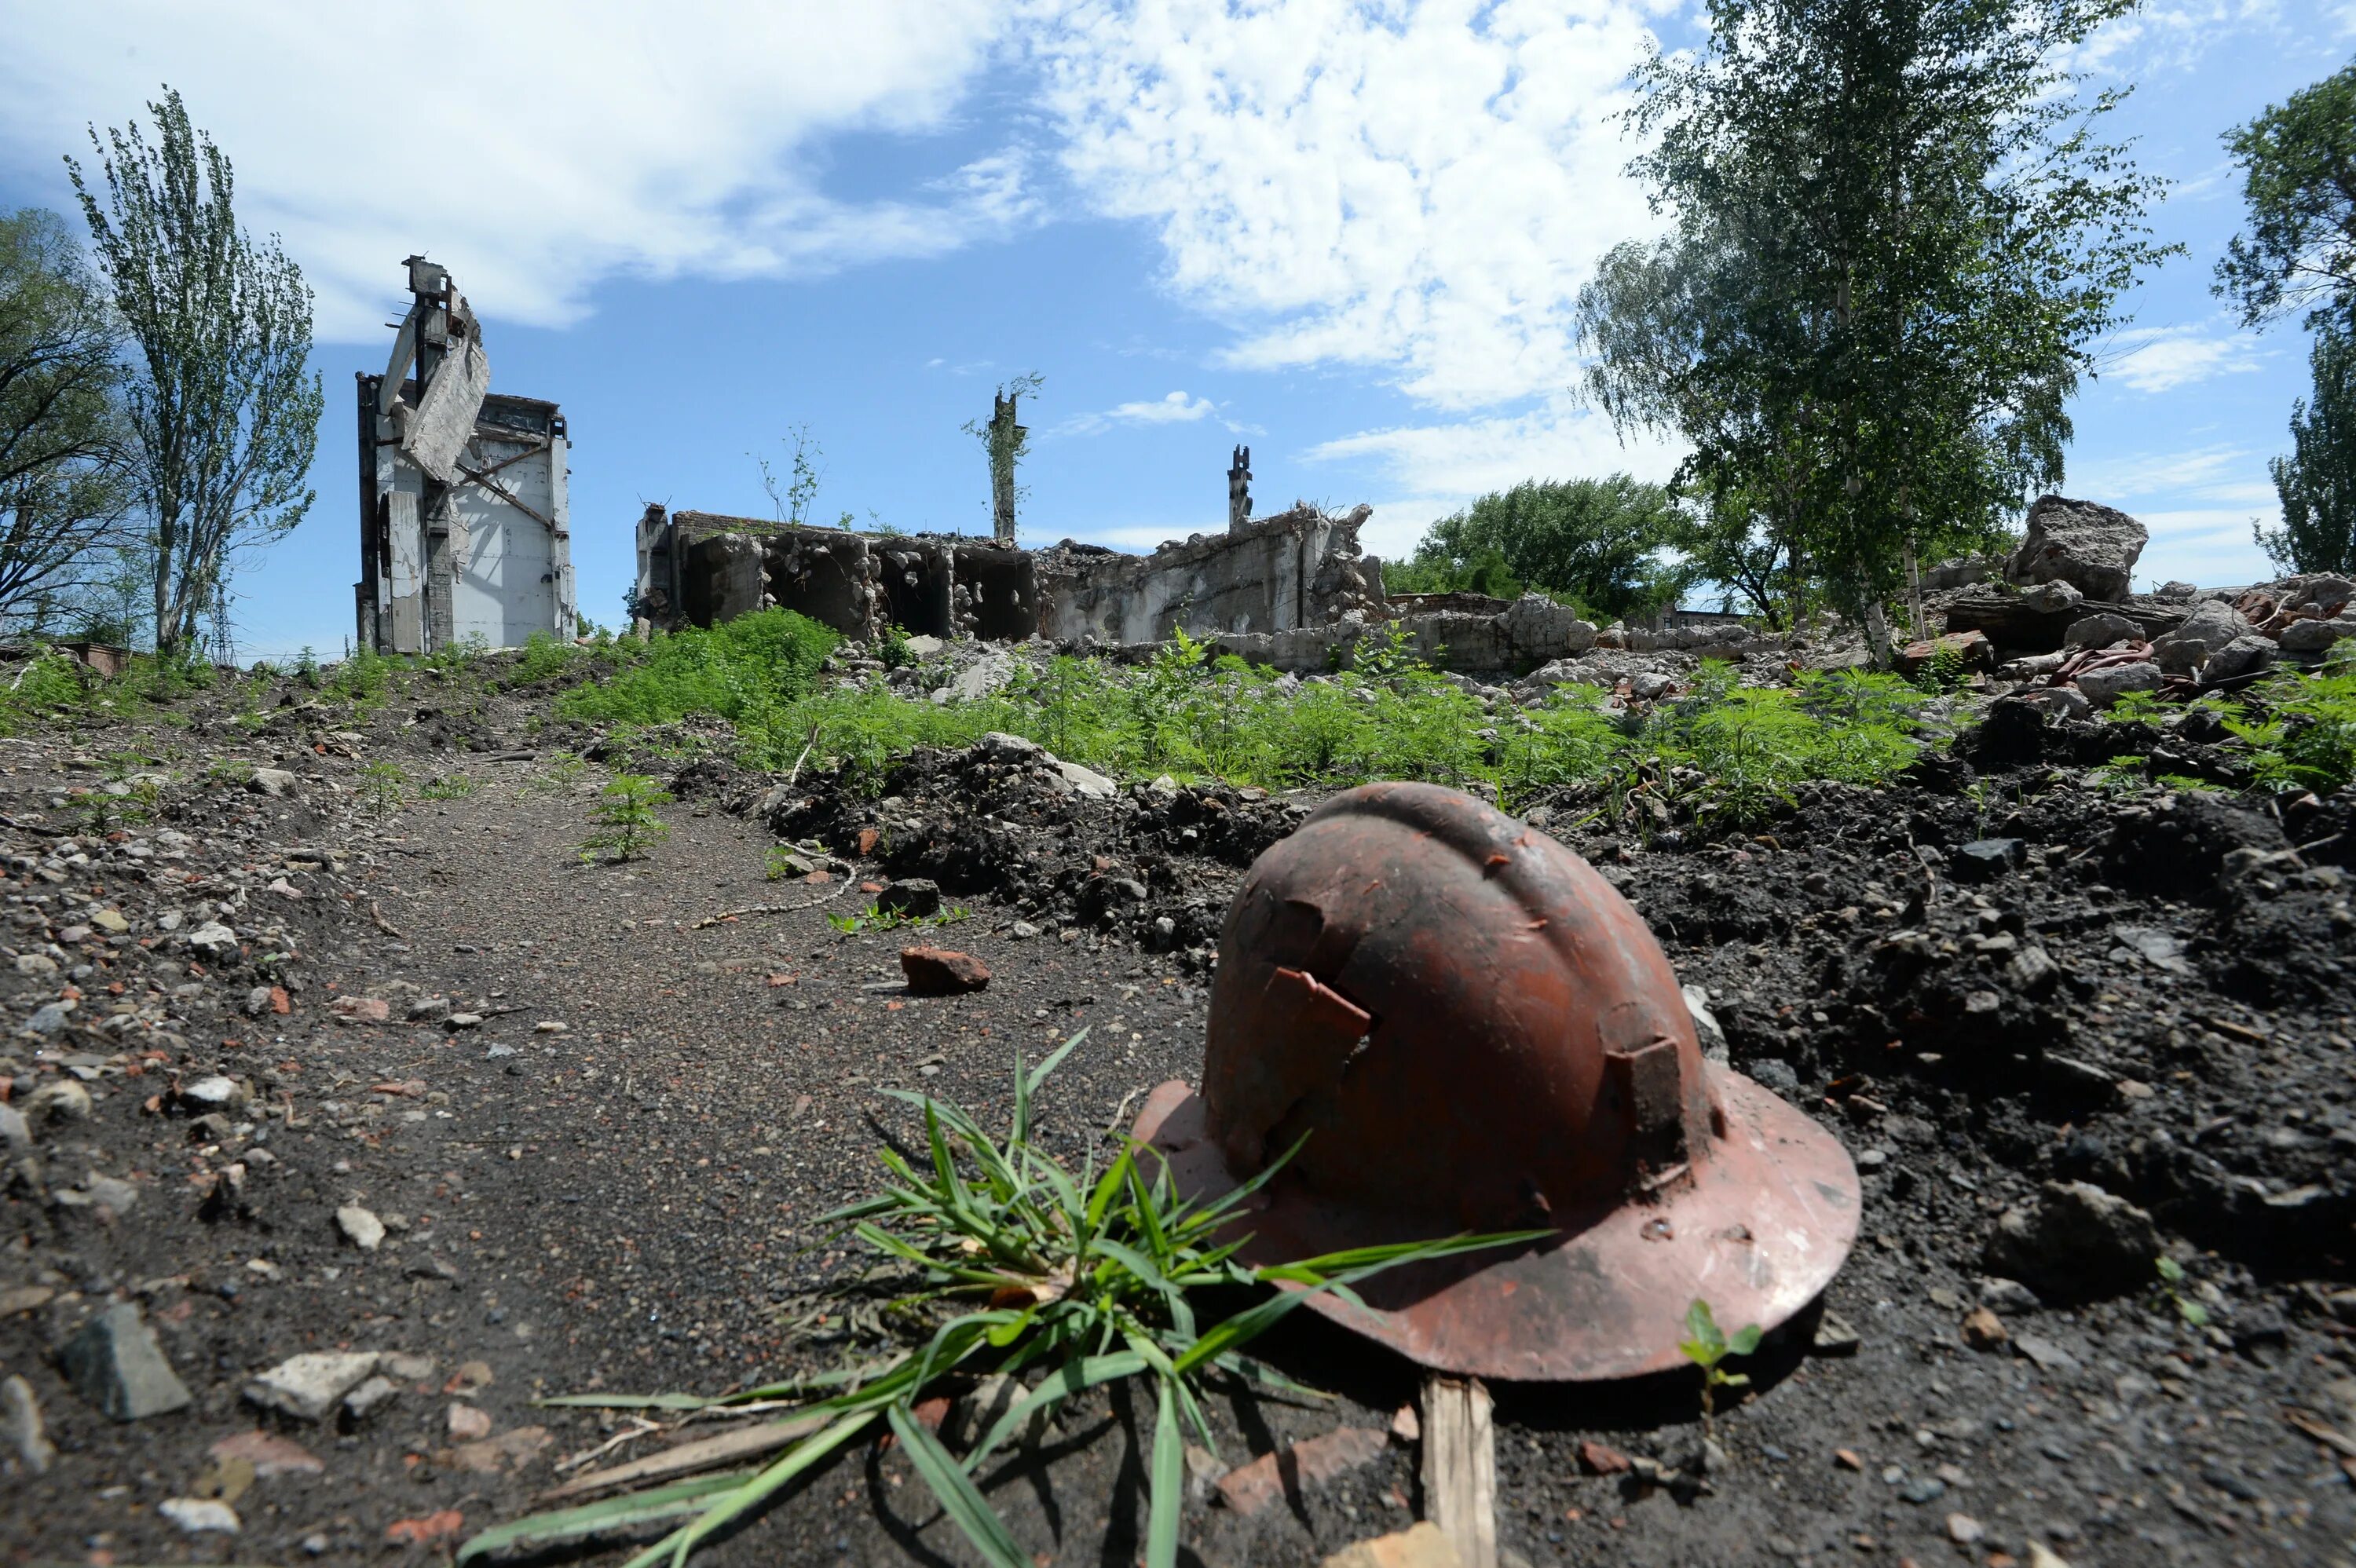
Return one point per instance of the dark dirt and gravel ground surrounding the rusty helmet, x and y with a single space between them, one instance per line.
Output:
600 1136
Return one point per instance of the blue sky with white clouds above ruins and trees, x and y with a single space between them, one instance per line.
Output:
1342 234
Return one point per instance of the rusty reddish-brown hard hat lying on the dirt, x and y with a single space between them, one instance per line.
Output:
1467 1030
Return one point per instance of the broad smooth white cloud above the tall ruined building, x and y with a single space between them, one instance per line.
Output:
534 150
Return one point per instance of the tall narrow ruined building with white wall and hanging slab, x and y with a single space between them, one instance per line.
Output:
463 493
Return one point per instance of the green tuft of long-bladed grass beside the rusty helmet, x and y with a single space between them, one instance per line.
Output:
1026 1270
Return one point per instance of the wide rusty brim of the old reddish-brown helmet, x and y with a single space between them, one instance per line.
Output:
1756 1230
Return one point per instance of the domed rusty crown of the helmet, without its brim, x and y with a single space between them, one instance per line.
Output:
1455 1018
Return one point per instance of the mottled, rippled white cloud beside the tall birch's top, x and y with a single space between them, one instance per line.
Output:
1408 187
